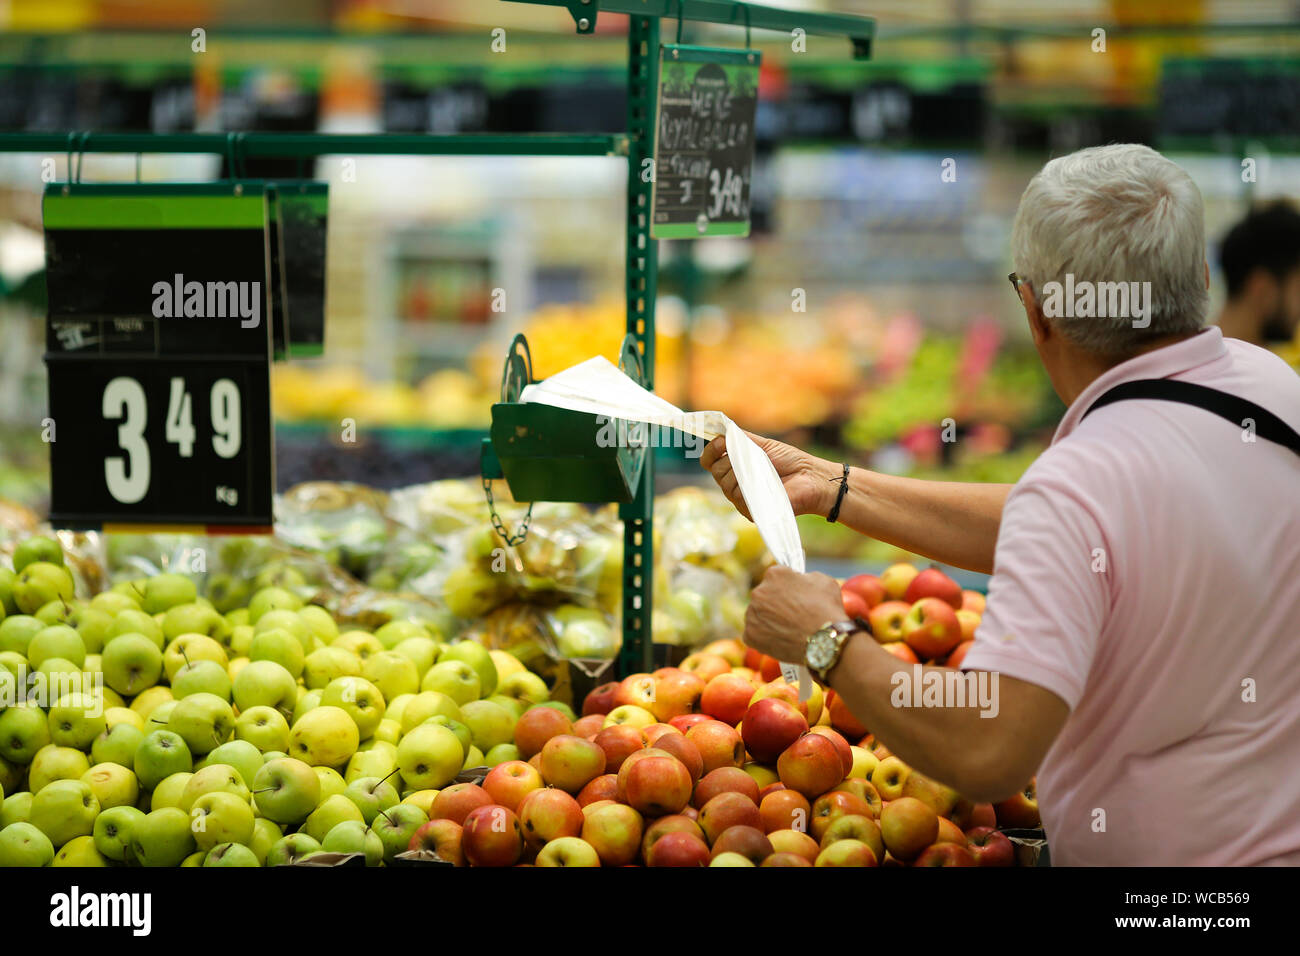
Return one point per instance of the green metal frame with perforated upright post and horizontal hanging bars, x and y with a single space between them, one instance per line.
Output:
636 145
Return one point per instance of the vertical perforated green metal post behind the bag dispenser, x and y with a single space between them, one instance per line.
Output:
643 263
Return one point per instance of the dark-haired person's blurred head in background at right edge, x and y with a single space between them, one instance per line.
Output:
1260 258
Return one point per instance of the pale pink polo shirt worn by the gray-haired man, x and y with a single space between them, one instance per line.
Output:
1149 573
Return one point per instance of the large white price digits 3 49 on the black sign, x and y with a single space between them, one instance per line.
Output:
128 478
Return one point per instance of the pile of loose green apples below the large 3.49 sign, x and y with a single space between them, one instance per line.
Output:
142 726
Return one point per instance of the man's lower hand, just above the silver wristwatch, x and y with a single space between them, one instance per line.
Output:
787 608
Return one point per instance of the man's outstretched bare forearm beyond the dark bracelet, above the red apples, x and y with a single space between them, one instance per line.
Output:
951 522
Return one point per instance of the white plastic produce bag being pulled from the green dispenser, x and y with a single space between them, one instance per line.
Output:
599 388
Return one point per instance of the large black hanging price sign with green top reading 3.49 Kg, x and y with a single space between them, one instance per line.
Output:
159 357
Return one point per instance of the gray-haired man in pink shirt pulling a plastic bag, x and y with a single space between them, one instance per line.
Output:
1145 608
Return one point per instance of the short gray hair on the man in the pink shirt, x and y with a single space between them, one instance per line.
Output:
1116 215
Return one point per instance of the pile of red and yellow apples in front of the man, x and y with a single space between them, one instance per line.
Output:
718 764
